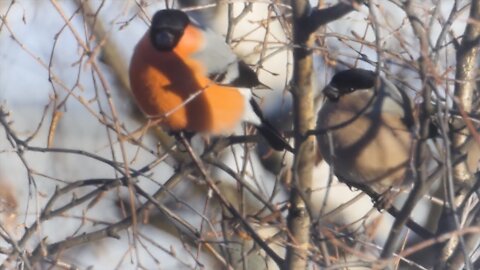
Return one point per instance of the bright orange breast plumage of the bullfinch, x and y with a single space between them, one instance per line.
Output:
173 86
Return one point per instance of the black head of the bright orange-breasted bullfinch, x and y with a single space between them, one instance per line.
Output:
167 28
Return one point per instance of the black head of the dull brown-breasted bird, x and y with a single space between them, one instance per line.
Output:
347 81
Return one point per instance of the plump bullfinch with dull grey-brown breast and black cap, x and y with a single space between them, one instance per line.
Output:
369 131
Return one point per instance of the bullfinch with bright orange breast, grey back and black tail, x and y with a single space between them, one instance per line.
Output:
186 75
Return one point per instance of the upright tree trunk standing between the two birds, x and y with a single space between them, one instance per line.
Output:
304 120
